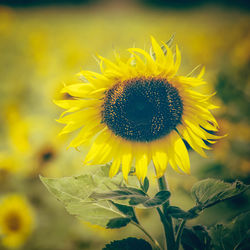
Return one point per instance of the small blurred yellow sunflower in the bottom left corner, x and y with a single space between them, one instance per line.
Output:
16 220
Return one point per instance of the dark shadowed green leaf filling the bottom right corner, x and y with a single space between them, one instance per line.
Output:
235 235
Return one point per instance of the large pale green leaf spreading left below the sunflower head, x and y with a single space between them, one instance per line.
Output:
75 194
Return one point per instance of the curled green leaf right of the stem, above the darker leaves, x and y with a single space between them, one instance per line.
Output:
209 192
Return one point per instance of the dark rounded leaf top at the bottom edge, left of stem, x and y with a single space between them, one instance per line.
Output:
128 244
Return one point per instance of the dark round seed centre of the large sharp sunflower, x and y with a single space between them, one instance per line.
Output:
142 109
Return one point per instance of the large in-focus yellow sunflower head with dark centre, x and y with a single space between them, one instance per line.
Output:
137 111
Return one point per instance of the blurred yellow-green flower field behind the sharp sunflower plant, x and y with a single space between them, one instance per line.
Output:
45 43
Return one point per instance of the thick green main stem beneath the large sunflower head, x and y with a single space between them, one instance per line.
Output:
167 223
